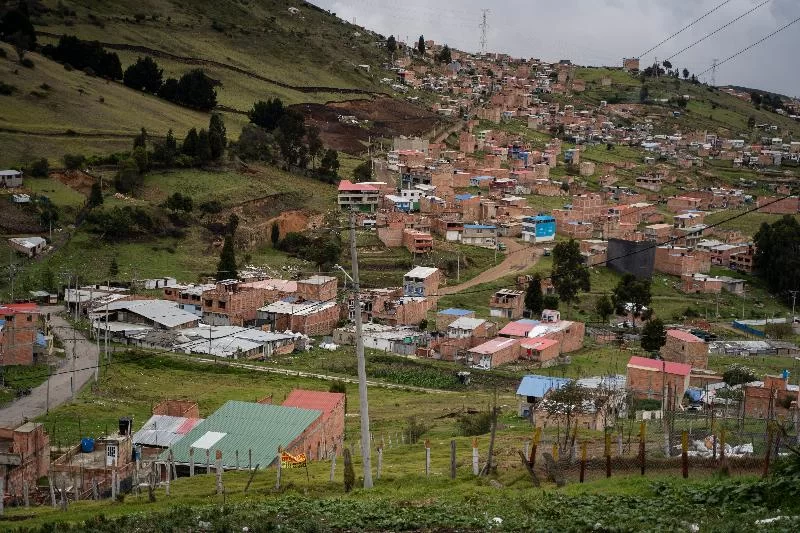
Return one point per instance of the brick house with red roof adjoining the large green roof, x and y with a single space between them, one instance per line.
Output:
330 424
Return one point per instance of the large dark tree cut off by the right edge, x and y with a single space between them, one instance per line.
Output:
777 257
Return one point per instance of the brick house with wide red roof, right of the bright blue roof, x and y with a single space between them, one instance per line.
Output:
647 378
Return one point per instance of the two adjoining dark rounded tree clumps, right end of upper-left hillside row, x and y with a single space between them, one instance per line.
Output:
194 89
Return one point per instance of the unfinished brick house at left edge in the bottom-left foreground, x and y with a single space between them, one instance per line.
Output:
25 457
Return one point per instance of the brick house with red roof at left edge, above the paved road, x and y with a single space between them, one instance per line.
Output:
19 327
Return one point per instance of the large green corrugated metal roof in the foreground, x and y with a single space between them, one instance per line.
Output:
247 426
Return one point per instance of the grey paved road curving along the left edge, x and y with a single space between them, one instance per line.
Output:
86 354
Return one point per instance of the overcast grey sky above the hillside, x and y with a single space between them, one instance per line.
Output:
602 32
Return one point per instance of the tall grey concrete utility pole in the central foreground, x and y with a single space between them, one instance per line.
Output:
363 405
